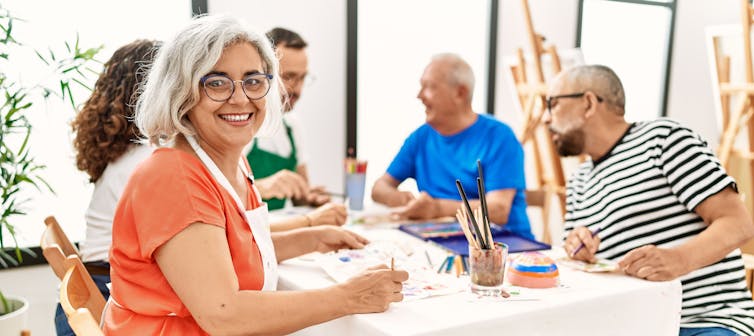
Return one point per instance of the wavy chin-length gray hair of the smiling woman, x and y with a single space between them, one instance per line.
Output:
172 87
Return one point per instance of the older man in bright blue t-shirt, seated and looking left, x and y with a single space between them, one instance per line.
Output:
447 148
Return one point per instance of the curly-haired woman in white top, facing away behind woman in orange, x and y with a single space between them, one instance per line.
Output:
107 150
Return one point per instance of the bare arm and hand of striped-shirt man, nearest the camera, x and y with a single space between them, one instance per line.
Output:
729 226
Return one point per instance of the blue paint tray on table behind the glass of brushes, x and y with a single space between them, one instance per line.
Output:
459 245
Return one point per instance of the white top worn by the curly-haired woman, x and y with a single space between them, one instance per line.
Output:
107 191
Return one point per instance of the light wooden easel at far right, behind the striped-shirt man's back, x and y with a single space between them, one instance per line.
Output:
741 117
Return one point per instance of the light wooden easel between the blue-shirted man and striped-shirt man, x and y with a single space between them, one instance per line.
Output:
532 92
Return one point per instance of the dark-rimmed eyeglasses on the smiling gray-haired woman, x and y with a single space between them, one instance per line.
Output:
220 87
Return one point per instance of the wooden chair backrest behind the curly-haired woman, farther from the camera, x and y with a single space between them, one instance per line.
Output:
56 246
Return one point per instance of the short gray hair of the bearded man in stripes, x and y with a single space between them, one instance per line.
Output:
601 80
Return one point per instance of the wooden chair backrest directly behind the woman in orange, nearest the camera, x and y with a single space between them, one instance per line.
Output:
80 298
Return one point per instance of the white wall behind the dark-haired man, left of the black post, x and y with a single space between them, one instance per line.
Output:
322 107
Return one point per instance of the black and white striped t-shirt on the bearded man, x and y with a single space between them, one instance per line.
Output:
644 192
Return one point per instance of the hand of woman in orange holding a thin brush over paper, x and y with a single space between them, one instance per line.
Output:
373 290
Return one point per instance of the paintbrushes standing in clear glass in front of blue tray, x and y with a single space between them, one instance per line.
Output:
475 224
